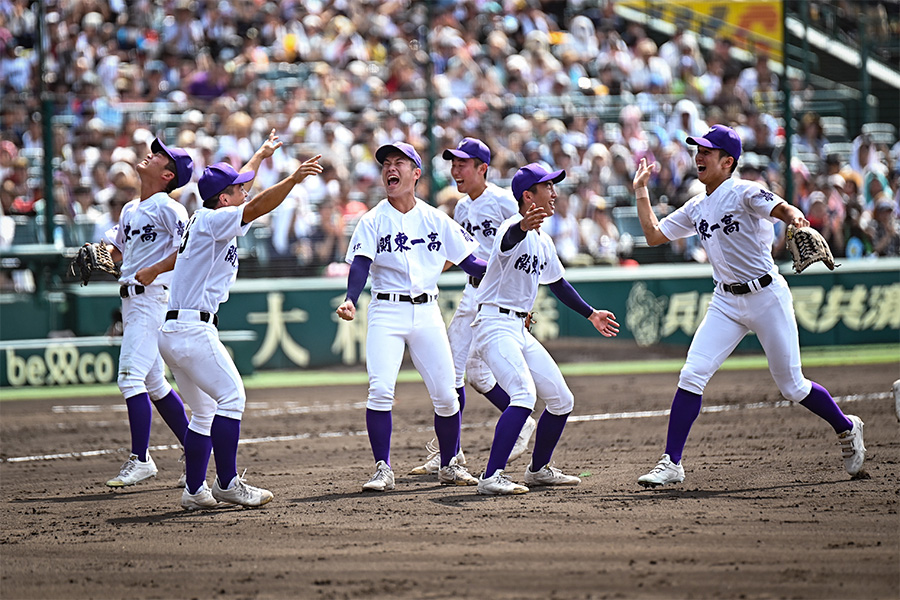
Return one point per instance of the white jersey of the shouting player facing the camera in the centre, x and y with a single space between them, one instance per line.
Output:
408 250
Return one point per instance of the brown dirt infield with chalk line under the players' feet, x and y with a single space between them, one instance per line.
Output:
766 511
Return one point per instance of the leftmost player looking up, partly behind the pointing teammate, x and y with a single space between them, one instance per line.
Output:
145 240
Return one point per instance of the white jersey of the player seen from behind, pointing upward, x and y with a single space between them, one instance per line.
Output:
207 261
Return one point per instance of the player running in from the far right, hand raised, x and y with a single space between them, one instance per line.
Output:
734 222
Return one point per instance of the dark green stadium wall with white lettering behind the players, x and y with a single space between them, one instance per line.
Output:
59 338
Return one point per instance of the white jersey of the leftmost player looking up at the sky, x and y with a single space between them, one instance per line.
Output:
148 232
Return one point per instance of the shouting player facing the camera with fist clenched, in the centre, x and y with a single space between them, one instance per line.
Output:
406 244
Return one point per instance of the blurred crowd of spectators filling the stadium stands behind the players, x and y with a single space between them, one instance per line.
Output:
572 84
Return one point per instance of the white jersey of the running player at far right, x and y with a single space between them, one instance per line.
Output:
734 227
